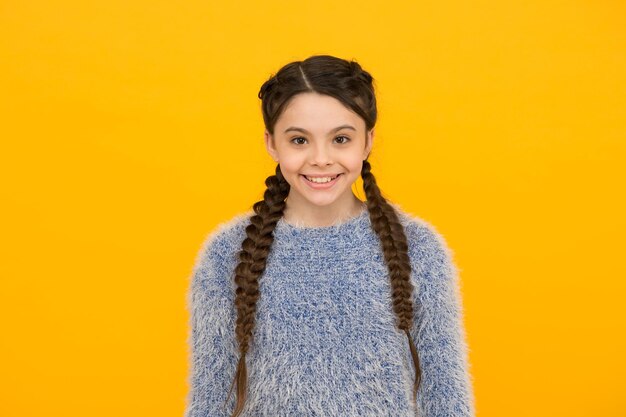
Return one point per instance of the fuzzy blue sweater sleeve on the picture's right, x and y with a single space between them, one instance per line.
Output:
438 332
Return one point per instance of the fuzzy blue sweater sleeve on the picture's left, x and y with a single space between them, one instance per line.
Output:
211 336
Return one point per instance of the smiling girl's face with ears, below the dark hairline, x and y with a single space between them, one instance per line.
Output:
306 142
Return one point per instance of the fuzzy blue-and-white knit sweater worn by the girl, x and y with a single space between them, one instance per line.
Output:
325 342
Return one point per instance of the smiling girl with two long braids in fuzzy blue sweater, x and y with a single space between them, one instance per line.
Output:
315 303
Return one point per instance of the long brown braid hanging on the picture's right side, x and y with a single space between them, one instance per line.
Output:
387 226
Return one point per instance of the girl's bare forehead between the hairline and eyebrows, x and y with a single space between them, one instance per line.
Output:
310 110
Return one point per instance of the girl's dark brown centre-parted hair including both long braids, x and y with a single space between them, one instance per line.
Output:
353 86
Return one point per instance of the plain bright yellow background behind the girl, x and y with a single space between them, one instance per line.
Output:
130 129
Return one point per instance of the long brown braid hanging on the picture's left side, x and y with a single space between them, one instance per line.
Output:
252 262
